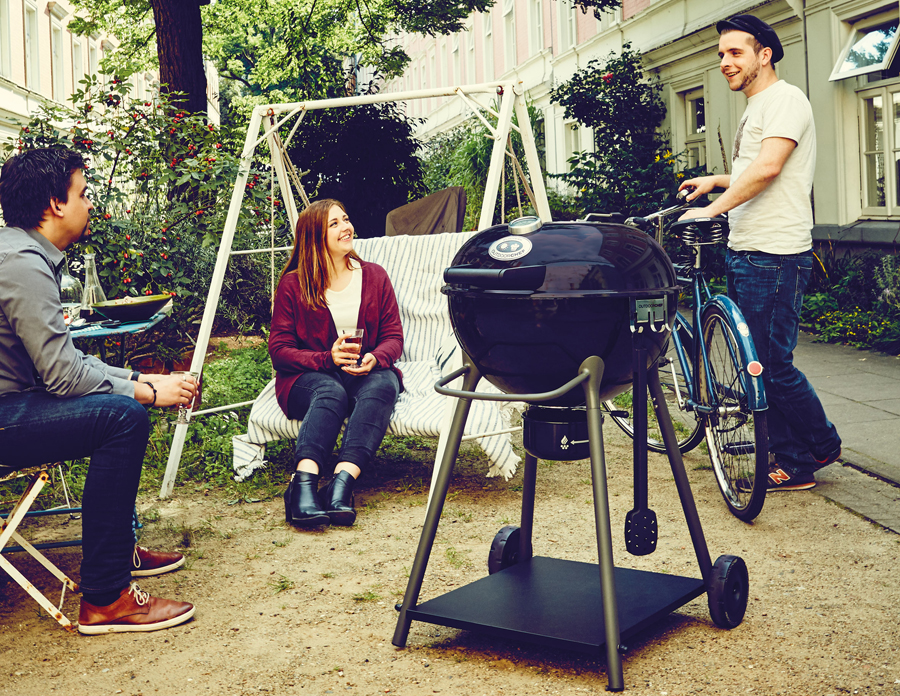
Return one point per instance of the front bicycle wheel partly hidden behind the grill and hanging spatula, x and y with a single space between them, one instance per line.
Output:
688 427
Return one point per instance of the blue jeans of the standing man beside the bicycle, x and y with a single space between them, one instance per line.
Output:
769 291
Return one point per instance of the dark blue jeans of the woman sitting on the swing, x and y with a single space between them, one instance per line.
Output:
322 400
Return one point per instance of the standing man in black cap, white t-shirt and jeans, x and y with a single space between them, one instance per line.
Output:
770 258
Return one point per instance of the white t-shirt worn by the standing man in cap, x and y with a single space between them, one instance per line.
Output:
778 220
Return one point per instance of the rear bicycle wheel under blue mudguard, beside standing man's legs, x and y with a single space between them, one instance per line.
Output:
736 437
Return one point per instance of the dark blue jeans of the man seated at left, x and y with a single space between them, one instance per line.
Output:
39 428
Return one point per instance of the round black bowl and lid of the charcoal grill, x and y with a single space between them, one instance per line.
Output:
530 302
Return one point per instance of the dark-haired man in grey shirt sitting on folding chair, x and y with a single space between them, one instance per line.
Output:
56 403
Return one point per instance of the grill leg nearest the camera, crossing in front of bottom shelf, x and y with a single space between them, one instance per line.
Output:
594 366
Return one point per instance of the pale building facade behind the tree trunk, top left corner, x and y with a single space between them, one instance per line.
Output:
42 61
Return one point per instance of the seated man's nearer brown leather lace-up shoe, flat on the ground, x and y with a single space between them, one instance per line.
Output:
134 610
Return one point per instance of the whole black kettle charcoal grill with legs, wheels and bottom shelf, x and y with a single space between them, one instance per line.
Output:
564 316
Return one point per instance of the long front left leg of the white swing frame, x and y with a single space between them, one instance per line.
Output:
215 289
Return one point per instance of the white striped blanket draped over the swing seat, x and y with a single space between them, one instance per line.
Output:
415 265
